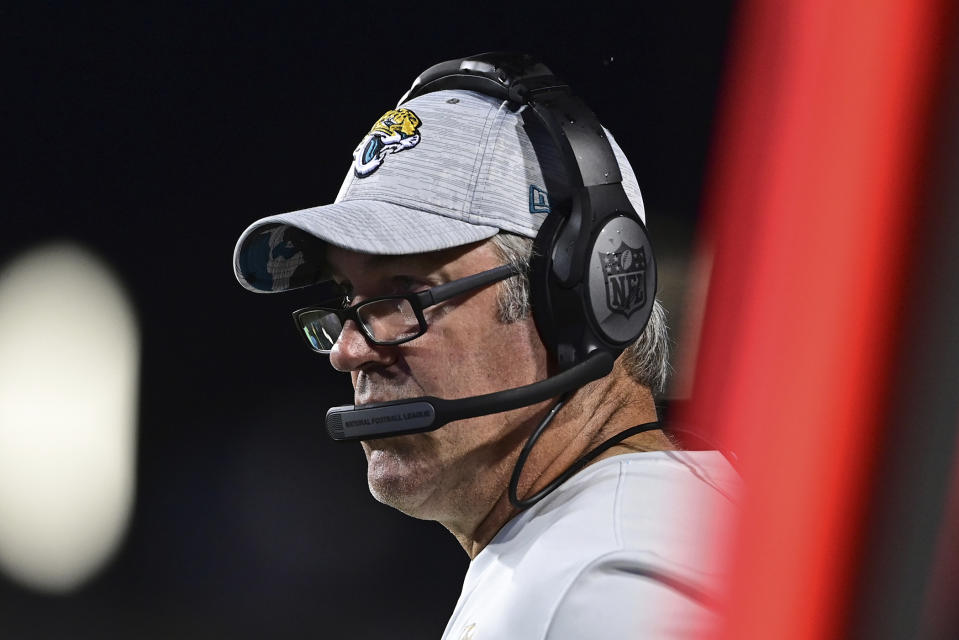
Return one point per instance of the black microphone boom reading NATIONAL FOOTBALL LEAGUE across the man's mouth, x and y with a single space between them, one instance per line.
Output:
415 415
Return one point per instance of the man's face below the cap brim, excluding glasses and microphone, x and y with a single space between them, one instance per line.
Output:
466 351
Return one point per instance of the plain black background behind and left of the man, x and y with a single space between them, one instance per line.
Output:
153 136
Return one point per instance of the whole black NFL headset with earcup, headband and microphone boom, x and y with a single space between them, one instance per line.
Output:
592 274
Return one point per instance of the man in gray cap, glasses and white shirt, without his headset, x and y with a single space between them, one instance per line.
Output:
453 184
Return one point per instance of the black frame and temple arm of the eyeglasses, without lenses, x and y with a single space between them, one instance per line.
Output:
418 301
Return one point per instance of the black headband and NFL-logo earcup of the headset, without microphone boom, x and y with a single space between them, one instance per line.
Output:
593 273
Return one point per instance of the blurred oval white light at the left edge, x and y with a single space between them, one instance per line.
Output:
69 361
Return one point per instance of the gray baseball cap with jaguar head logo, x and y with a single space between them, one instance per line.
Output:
445 169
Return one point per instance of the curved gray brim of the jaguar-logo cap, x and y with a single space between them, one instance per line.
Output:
268 257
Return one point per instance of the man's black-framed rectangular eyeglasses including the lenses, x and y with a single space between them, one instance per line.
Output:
388 320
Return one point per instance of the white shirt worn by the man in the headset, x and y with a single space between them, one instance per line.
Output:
623 549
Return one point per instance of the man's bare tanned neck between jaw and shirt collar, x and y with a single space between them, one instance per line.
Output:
592 415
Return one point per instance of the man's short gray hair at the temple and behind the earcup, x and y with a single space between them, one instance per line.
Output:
646 360
